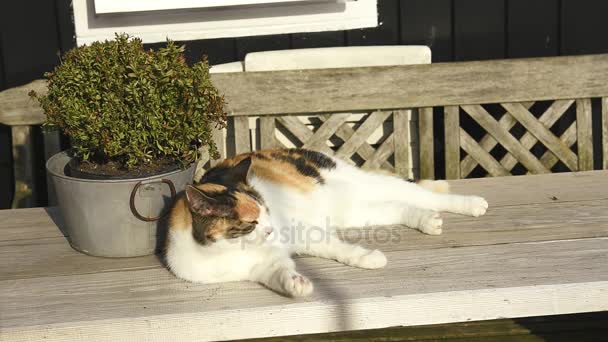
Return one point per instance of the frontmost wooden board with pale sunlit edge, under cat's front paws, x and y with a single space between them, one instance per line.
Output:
146 302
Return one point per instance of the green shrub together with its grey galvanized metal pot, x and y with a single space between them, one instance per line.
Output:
136 120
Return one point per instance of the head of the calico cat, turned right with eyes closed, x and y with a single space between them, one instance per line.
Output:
228 211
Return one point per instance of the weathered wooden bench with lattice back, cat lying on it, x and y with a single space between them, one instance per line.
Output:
540 250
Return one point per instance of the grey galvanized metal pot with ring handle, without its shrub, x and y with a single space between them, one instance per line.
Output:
114 218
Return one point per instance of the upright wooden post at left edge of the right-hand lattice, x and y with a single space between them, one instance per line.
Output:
452 142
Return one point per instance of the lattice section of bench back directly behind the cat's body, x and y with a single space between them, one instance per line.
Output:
378 139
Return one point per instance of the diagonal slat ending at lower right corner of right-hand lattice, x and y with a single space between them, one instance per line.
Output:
543 134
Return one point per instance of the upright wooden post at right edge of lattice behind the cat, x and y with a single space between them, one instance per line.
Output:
427 150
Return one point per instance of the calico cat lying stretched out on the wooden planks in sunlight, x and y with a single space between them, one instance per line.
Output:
250 213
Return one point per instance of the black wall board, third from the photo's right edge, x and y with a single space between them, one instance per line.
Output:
479 29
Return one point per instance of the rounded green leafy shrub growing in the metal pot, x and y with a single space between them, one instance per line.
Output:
118 102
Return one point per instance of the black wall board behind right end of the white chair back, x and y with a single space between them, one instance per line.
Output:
428 22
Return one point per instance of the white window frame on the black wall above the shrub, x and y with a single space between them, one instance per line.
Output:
223 22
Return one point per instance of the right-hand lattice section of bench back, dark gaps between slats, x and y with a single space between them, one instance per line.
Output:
503 148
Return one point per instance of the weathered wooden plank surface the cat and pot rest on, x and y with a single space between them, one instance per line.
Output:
541 249
